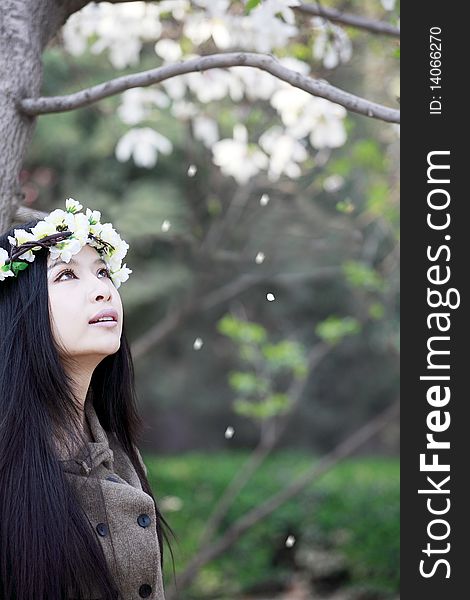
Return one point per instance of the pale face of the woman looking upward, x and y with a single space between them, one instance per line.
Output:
78 290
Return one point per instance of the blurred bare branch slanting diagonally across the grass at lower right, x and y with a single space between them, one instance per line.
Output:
256 514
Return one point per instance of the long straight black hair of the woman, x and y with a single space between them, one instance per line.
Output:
47 546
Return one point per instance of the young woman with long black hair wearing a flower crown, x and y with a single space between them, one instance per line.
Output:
77 516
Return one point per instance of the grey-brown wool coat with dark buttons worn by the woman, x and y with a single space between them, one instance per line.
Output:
127 520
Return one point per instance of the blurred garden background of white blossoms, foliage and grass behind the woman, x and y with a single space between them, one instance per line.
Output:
263 308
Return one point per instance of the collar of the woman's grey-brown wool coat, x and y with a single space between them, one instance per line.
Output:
96 452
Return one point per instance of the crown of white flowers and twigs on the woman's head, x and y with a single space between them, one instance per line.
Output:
65 233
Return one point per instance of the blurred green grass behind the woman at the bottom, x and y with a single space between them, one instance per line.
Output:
353 509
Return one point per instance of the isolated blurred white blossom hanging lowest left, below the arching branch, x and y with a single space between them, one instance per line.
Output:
143 144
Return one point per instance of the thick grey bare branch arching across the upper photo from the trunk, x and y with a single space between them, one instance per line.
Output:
265 62
